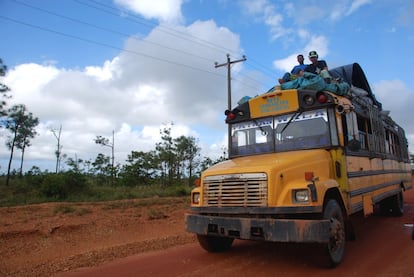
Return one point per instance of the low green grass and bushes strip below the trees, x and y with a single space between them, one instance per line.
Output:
75 187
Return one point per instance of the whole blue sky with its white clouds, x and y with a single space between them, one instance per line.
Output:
134 67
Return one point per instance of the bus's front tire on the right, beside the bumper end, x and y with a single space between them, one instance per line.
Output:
335 248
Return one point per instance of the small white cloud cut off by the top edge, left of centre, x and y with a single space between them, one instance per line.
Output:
163 10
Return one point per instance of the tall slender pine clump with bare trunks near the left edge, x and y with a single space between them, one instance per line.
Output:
21 124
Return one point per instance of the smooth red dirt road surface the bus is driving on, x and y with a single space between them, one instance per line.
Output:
383 247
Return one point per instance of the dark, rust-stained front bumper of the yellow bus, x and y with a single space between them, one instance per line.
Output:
277 230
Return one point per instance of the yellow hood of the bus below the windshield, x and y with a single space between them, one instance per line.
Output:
284 172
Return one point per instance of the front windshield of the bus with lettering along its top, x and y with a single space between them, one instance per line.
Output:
287 132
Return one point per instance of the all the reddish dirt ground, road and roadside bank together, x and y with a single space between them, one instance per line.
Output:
129 238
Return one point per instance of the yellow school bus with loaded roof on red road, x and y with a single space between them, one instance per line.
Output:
301 162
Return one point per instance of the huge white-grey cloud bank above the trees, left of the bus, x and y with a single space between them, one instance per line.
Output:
132 94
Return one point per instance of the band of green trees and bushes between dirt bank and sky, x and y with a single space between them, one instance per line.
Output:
170 170
